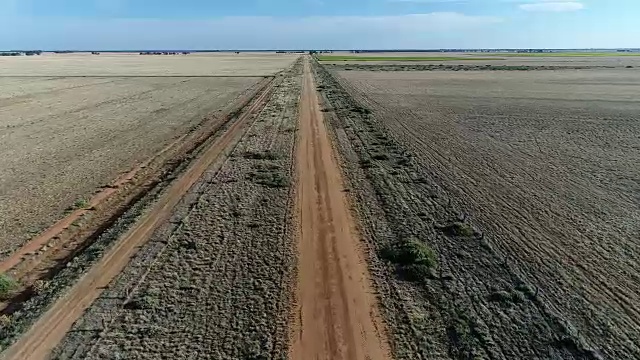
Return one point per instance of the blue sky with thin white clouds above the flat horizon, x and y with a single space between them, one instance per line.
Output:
264 24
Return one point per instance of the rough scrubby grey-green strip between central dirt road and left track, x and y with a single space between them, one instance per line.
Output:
218 284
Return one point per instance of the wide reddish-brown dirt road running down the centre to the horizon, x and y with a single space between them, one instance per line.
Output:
336 313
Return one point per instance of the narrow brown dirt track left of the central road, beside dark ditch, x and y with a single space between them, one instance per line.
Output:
49 329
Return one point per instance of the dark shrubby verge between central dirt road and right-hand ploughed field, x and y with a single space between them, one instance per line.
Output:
447 287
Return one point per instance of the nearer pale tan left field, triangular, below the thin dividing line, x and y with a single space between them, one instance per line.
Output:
62 138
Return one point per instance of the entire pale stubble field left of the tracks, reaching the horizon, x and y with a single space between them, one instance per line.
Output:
71 123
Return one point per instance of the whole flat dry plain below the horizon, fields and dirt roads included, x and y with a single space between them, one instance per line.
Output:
273 208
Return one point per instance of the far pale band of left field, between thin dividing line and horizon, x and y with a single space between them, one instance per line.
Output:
224 64
